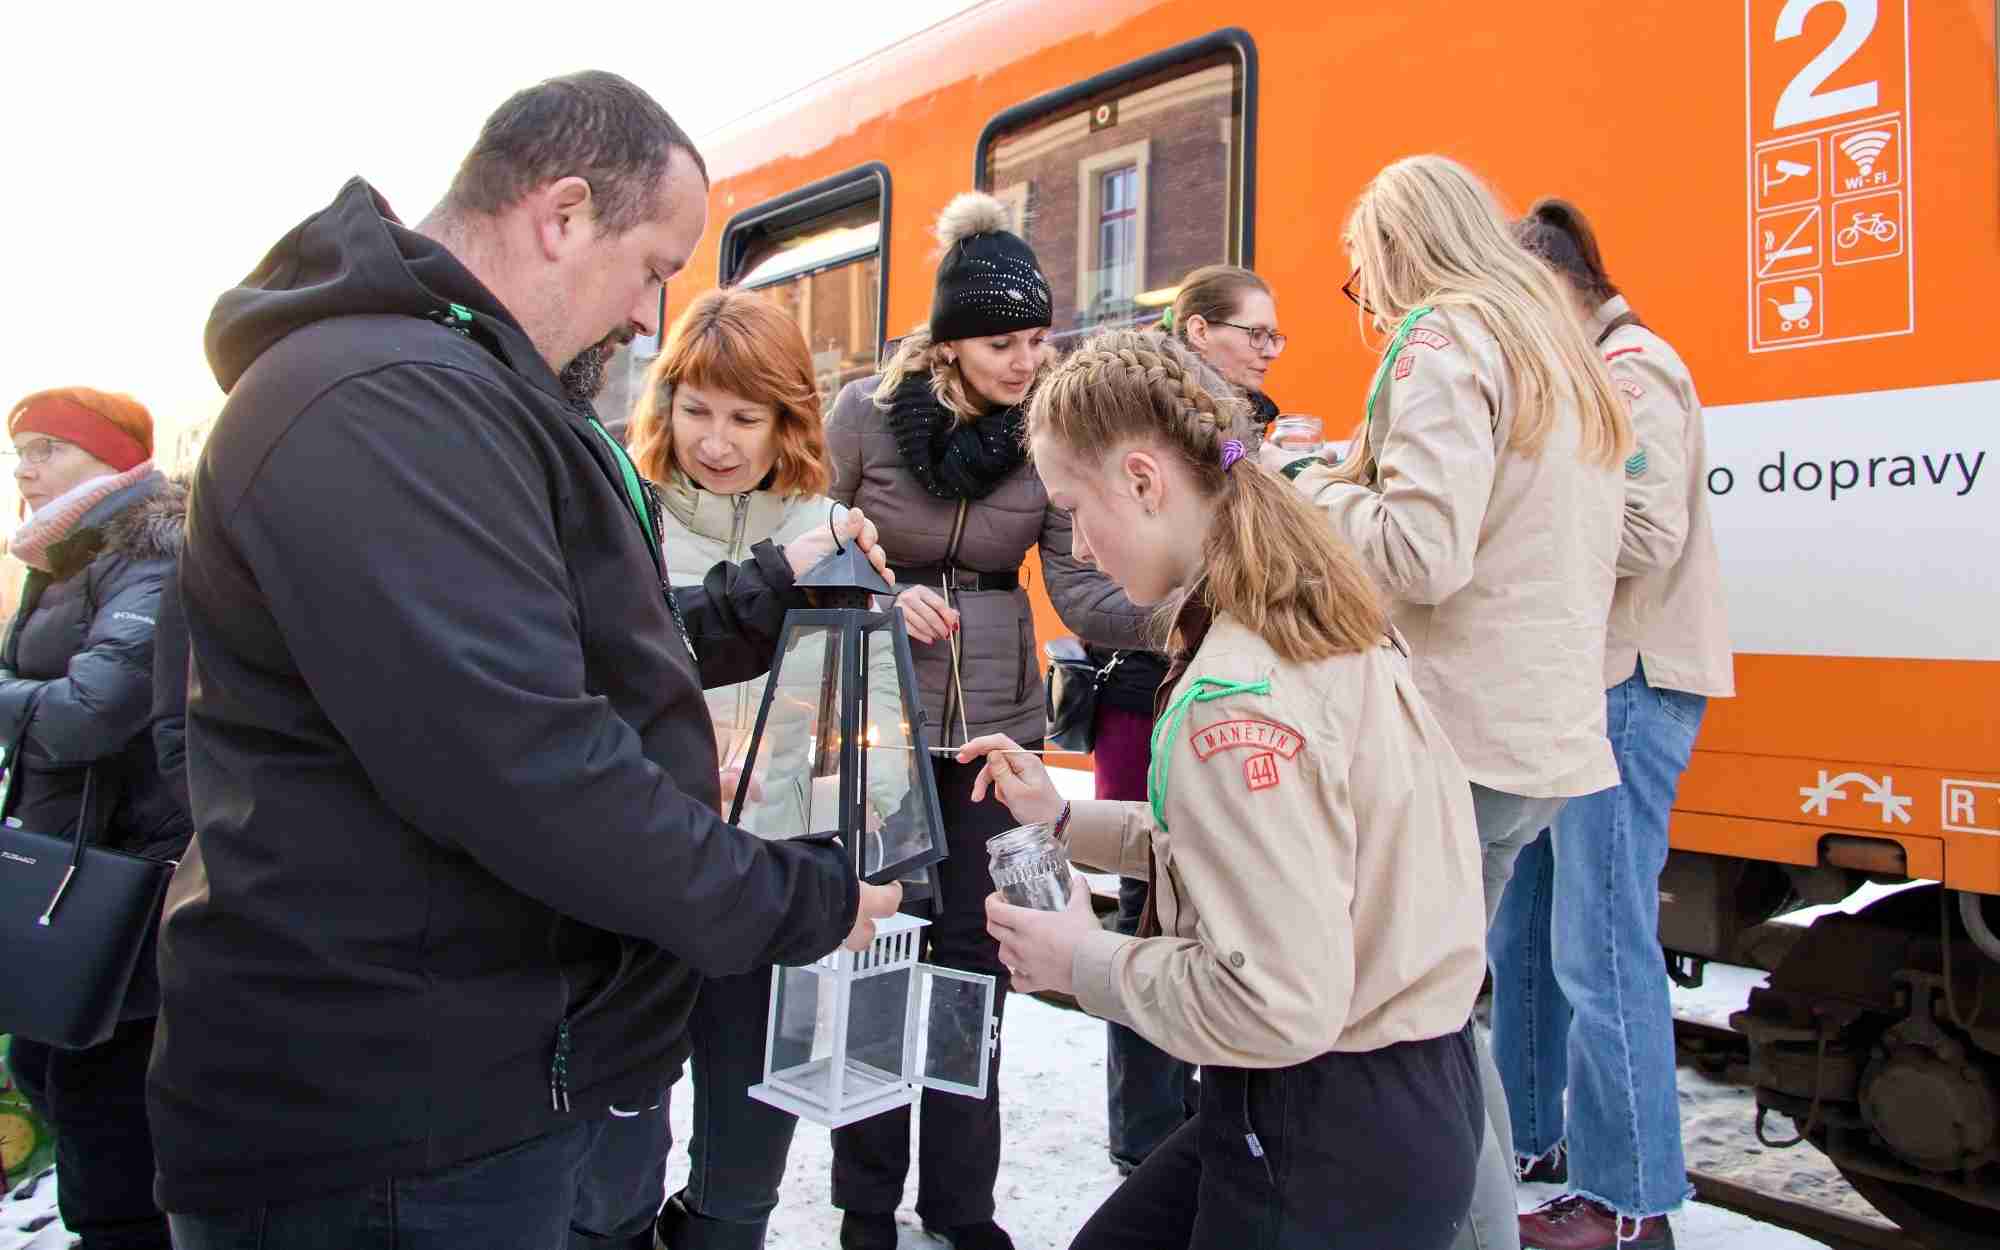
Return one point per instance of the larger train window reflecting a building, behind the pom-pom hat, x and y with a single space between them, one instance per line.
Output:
1133 179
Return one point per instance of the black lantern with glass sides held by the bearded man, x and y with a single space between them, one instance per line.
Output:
839 743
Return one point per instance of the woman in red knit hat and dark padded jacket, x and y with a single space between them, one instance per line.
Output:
77 689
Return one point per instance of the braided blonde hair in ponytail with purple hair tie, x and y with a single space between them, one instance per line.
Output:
1269 561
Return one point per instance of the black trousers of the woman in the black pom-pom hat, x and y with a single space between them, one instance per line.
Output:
959 1155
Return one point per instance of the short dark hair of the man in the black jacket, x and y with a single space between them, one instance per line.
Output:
595 127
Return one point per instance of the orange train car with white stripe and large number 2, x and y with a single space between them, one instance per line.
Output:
1801 195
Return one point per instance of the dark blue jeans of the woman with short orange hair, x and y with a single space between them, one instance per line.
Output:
739 1149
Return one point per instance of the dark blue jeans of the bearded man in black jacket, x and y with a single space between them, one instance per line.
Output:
519 1199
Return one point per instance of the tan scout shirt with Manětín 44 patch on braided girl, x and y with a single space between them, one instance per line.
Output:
1317 879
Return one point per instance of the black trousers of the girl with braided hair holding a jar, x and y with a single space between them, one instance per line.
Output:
1367 1151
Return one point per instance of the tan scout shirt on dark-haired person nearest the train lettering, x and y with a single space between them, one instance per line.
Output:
1669 605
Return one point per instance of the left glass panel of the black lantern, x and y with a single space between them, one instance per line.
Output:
797 759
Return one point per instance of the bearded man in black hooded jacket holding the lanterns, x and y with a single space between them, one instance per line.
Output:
457 871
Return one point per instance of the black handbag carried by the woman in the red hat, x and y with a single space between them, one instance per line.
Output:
75 921
